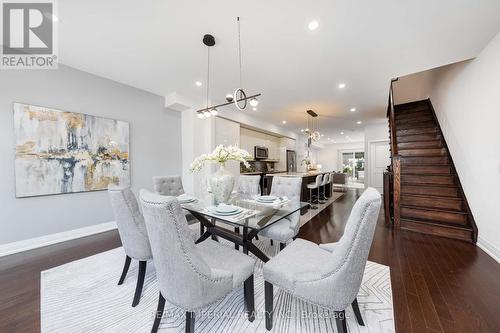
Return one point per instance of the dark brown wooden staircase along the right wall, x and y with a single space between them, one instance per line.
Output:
430 197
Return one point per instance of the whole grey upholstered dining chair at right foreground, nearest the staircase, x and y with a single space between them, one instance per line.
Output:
327 275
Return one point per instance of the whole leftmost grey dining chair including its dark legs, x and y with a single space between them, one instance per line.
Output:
133 234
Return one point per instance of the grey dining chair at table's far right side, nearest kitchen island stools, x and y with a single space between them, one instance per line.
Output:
286 229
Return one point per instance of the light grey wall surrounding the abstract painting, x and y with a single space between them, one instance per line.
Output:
155 146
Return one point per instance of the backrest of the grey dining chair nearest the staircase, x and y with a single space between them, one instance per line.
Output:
343 274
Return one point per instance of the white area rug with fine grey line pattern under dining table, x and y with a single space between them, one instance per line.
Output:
83 296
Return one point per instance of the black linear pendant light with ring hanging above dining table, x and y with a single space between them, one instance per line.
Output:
239 98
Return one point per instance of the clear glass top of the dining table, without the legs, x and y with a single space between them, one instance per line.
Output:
255 212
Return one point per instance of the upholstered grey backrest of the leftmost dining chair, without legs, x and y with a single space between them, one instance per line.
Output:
130 222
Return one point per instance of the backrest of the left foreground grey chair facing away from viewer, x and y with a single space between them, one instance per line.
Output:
184 278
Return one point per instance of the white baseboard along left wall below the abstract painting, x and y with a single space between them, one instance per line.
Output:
33 243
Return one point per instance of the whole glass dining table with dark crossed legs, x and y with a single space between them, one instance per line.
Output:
247 219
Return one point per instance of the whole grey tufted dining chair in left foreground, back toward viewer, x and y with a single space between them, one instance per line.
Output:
191 276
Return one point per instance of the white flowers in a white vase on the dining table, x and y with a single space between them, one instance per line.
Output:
222 181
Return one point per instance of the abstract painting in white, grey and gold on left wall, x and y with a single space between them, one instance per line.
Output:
64 152
